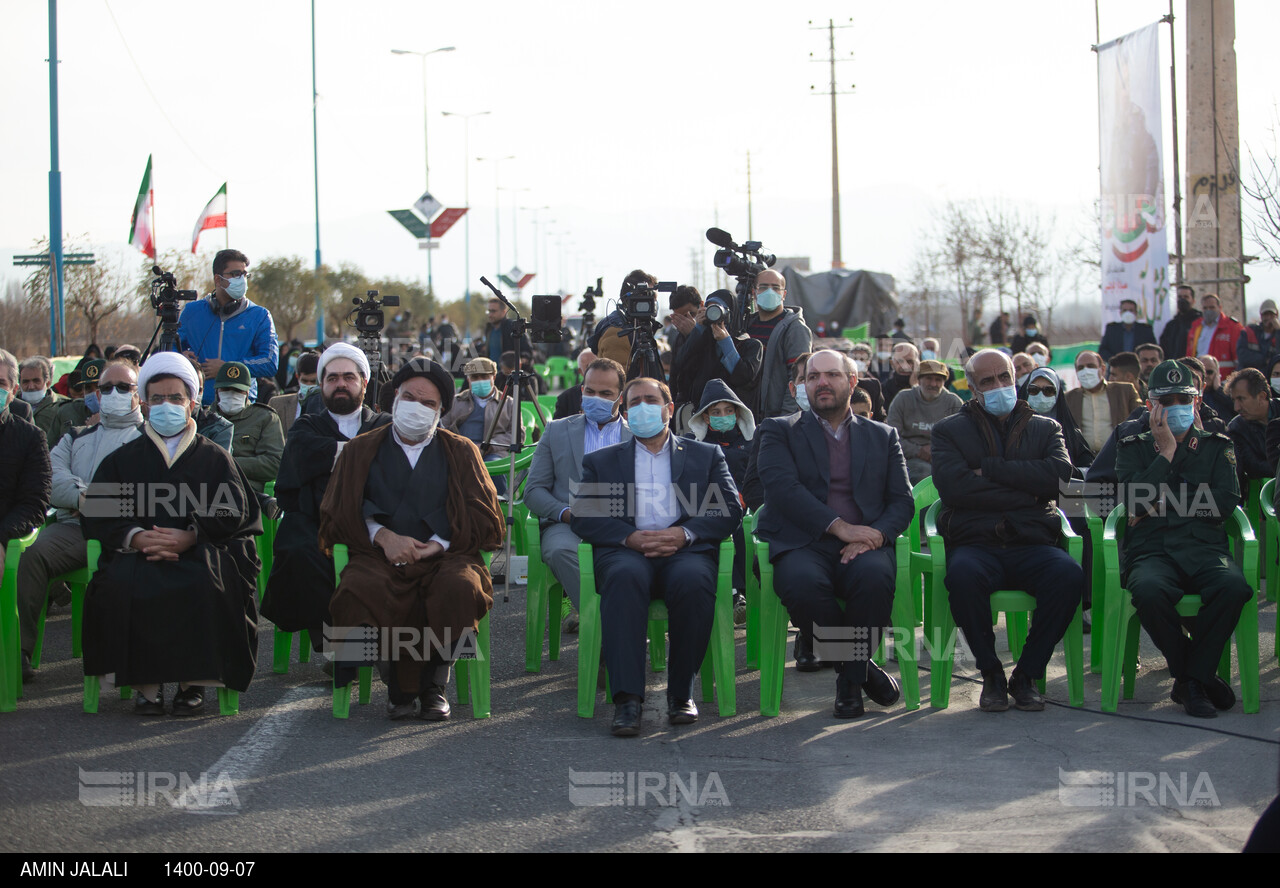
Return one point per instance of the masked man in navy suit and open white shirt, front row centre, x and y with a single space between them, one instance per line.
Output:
656 510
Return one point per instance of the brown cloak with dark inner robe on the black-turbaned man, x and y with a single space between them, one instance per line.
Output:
447 594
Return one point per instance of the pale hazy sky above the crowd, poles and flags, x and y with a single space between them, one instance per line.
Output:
632 122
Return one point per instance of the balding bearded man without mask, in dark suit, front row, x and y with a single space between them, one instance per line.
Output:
836 496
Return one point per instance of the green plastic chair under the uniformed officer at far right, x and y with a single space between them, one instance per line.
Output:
1122 642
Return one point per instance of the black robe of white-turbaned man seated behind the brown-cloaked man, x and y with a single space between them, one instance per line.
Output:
301 583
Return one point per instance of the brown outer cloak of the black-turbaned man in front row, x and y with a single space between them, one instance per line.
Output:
450 593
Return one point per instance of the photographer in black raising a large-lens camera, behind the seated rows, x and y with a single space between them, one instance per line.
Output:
712 353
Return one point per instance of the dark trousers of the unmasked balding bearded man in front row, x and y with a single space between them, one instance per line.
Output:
812 583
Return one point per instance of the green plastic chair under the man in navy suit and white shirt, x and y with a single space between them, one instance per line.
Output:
719 680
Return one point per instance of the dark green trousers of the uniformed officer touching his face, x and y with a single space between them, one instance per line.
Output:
1156 584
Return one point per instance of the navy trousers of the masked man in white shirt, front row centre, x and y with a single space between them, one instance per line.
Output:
627 583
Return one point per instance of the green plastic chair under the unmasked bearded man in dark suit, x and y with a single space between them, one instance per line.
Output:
774 635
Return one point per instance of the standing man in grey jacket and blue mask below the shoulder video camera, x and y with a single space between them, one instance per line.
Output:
784 337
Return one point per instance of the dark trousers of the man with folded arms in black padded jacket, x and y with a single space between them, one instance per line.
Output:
1046 574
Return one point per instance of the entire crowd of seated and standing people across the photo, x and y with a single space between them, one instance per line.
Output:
822 441
